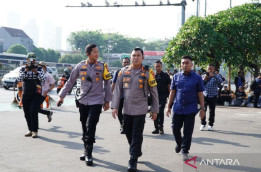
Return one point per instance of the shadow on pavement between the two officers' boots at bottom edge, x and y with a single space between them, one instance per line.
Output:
109 165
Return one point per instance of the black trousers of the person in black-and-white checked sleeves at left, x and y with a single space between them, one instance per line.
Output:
31 105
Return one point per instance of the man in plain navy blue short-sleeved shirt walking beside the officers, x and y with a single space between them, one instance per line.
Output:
186 92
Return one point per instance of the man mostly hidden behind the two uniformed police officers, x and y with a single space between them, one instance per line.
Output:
125 62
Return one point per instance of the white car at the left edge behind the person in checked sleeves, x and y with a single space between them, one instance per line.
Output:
9 79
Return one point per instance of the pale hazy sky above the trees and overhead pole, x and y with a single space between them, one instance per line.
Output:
145 22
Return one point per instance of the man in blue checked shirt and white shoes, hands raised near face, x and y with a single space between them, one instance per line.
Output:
212 83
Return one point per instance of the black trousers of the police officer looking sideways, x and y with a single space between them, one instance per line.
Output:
89 117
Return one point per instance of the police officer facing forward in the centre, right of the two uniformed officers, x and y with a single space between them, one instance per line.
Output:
135 82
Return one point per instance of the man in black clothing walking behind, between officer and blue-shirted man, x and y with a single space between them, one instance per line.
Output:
163 85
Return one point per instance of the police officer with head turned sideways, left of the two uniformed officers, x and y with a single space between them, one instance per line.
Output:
95 82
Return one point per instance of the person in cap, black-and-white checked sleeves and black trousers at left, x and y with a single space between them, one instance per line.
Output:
31 75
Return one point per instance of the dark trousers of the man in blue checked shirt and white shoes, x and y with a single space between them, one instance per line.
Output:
211 102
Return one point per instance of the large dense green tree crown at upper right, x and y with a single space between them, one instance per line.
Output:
232 36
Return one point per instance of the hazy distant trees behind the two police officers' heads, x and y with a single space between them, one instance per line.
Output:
112 42
